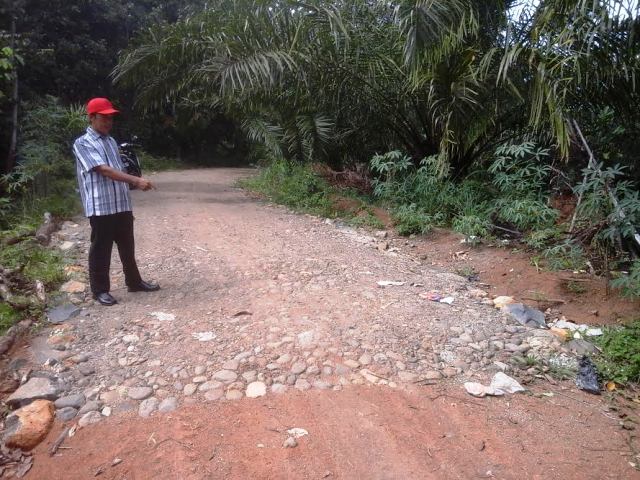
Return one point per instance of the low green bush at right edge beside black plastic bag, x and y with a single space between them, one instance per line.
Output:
620 357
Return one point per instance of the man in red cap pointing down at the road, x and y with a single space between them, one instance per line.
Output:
104 189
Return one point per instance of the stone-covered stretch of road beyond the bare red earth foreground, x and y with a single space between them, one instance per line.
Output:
257 301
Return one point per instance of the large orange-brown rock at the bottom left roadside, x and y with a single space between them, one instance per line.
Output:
28 426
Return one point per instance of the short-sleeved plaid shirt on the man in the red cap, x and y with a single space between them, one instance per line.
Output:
100 195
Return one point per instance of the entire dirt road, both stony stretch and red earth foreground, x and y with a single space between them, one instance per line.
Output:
260 302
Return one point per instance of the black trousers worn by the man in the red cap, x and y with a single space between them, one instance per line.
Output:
106 229
